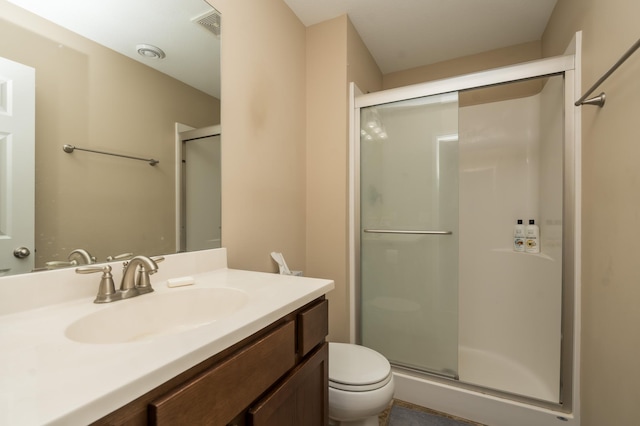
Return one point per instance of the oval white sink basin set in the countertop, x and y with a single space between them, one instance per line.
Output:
148 316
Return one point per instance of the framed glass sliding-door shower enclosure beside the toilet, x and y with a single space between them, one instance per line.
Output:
443 171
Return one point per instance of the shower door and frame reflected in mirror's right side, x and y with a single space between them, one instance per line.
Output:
200 227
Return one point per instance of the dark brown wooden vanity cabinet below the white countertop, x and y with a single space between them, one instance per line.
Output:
276 377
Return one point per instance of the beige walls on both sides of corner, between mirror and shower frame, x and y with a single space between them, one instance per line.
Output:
285 146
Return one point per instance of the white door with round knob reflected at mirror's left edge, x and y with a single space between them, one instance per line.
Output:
17 143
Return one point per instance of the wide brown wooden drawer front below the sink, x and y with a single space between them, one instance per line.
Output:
206 398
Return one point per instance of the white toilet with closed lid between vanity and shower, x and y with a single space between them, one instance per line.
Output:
360 385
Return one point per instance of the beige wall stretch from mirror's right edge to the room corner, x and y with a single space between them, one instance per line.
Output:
264 131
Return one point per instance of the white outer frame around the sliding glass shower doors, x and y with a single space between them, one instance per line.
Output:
560 65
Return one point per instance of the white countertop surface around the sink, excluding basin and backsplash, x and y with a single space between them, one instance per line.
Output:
45 378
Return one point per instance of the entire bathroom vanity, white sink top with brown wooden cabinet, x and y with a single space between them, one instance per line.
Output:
260 358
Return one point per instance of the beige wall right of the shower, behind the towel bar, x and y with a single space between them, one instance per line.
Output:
610 291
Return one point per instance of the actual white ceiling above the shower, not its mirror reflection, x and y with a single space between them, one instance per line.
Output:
404 34
